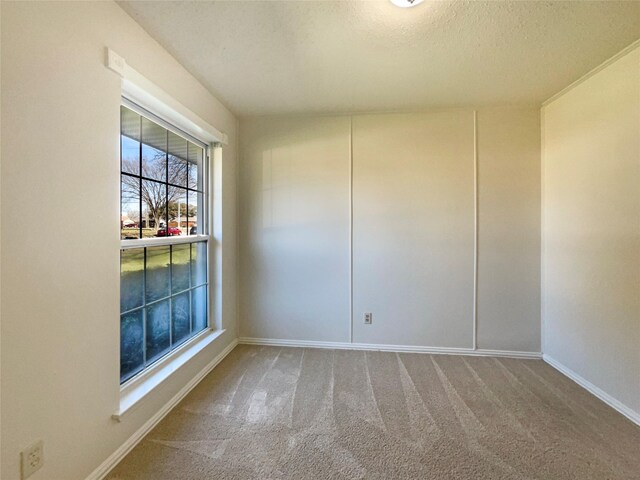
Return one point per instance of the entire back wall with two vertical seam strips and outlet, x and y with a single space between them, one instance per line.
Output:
411 216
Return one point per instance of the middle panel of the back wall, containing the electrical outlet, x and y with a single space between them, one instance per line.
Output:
413 228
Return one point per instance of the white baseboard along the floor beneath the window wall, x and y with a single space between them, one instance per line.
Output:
106 466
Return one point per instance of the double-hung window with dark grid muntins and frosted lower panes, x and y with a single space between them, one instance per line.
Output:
164 242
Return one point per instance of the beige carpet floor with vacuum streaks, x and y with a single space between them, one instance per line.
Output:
270 413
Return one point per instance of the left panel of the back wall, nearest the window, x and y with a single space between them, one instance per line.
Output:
295 277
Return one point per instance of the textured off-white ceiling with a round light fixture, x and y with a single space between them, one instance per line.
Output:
350 56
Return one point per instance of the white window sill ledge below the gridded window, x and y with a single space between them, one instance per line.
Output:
133 391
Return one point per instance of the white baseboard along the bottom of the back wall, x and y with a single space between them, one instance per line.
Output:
389 348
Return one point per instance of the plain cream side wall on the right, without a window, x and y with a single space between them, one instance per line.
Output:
591 237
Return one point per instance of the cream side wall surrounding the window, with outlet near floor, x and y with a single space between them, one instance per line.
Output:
60 244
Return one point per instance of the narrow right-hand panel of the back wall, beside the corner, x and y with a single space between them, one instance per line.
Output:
509 229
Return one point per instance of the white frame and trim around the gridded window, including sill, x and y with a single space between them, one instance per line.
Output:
139 91
